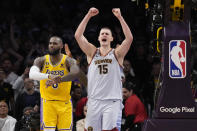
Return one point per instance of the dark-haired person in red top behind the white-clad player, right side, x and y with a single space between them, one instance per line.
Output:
134 109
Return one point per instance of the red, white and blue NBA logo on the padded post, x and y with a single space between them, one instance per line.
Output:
177 59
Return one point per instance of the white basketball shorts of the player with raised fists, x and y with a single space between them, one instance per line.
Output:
102 114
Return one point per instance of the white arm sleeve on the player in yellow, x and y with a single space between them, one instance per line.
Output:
35 74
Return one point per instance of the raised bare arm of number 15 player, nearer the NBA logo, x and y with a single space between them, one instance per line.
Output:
122 50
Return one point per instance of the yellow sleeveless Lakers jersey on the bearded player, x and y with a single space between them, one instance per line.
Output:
60 91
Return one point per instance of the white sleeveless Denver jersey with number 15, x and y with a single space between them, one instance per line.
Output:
104 77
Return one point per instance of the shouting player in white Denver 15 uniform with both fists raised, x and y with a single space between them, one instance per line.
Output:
104 74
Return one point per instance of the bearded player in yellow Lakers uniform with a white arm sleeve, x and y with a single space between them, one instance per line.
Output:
55 72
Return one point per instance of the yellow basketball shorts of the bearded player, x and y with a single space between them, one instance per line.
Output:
56 114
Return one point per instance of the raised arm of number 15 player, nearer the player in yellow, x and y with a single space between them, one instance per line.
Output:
86 47
